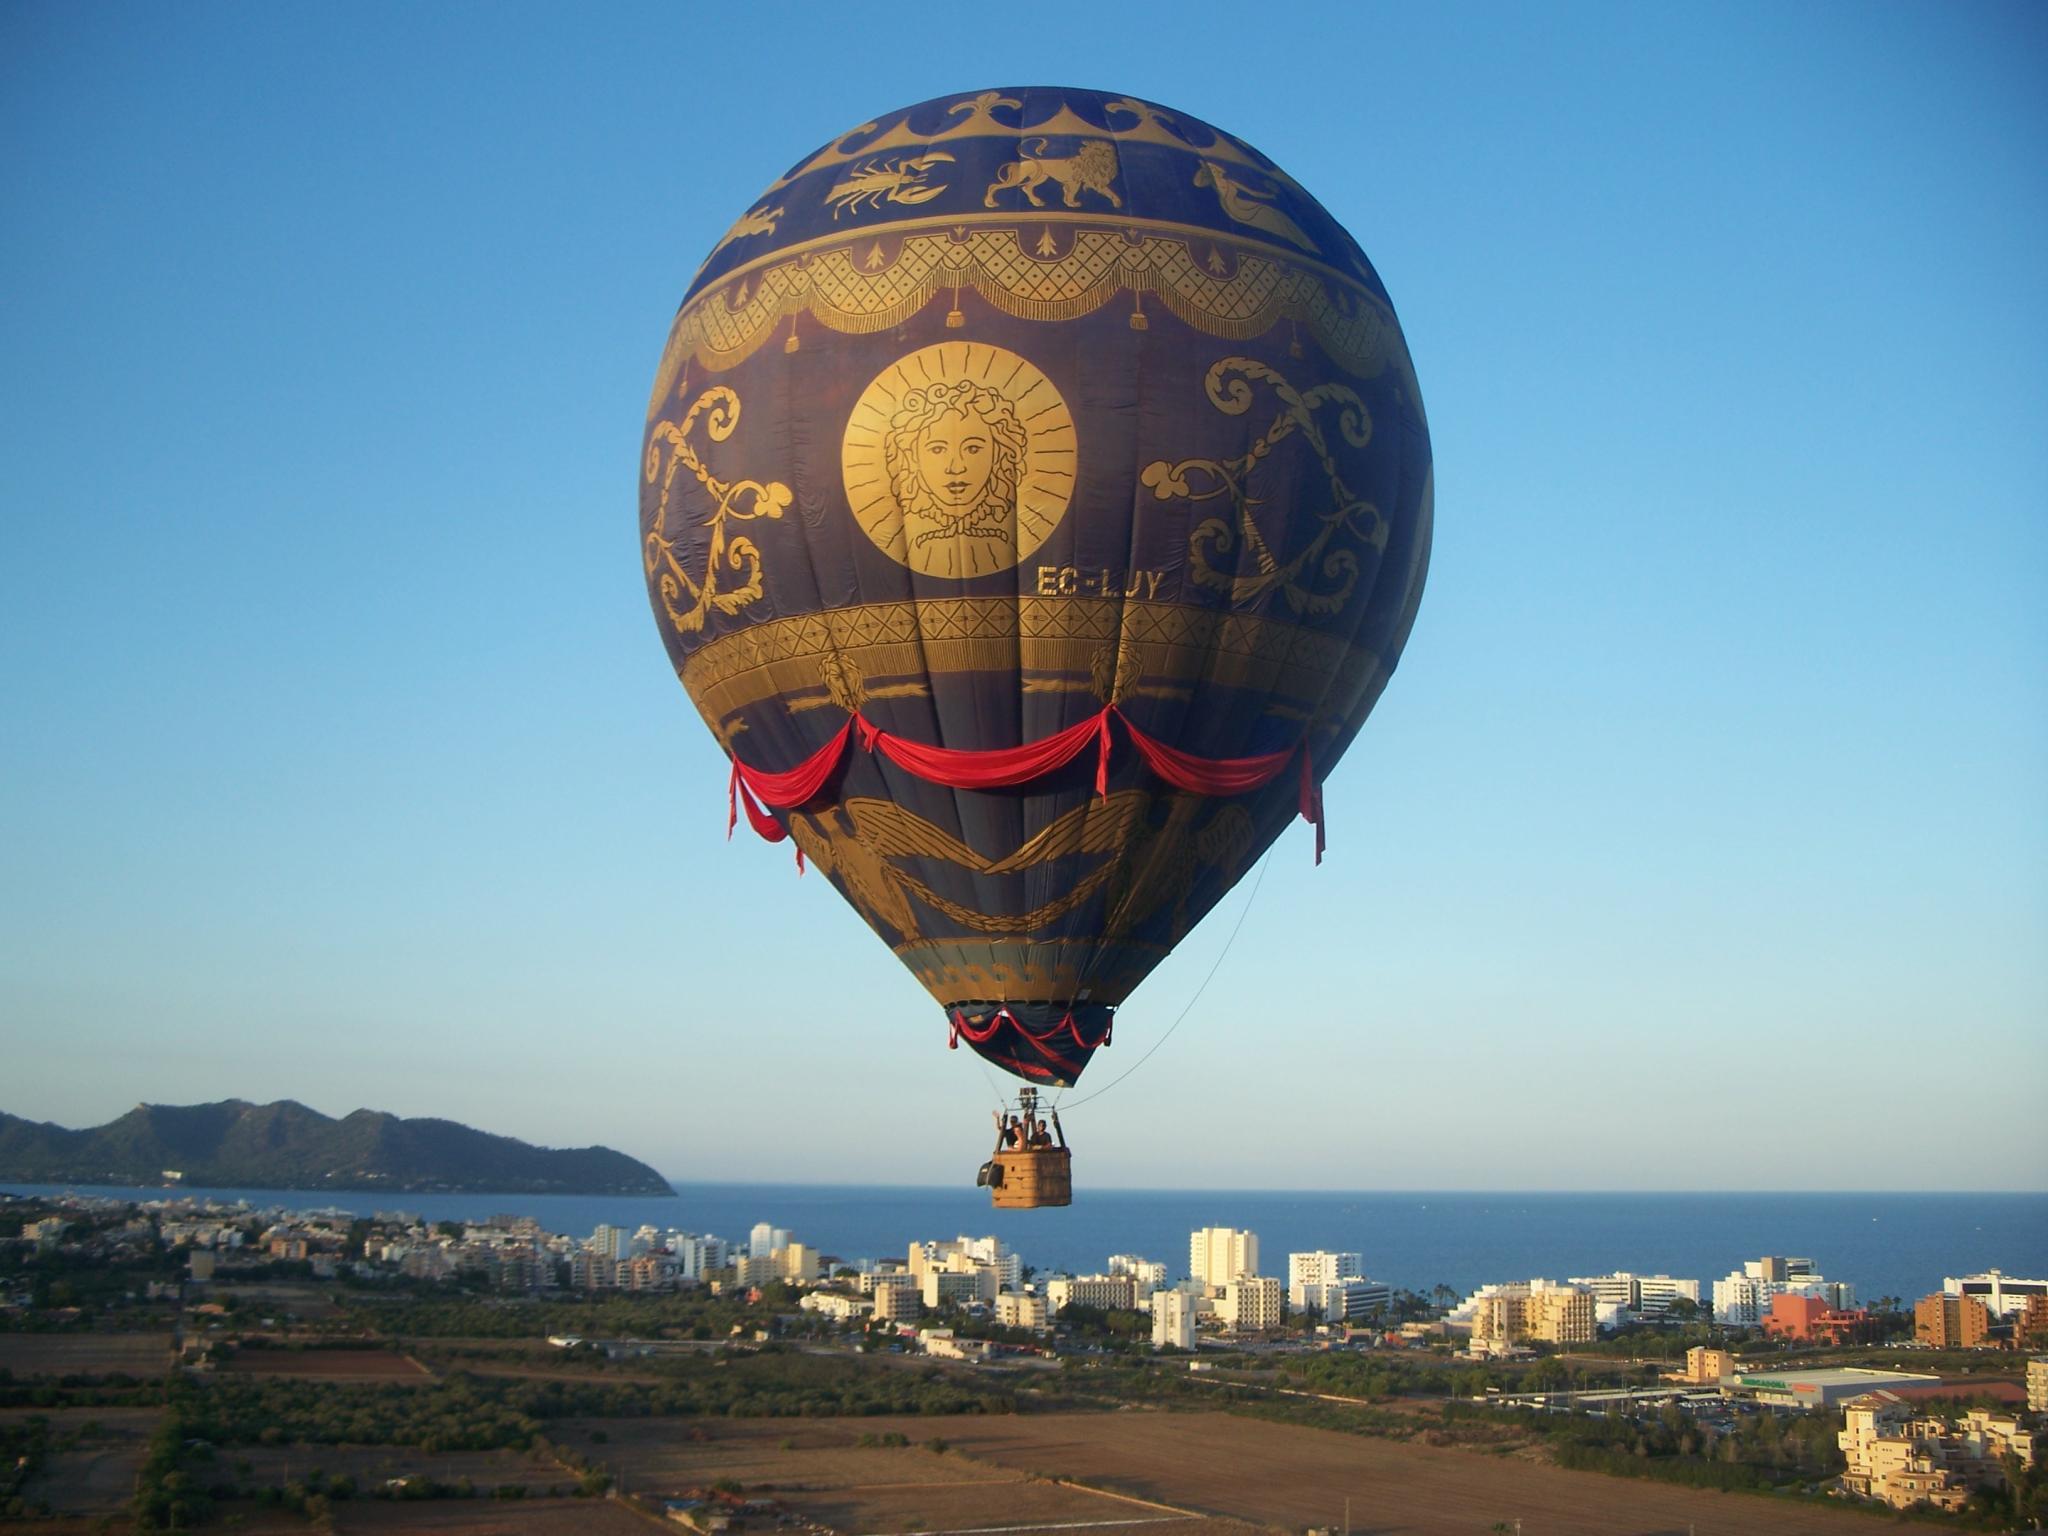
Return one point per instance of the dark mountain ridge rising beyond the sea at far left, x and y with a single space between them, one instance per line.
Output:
288 1146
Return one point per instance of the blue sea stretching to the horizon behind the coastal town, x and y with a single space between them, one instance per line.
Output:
1883 1244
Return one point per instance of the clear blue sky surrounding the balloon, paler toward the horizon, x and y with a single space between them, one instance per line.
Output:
1701 843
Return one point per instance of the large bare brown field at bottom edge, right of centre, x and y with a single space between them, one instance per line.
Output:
1287 1476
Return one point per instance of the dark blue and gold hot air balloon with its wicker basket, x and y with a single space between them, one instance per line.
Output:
1035 503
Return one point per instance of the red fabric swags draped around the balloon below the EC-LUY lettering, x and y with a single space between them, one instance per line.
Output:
761 794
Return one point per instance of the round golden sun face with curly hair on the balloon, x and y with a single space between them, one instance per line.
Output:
959 460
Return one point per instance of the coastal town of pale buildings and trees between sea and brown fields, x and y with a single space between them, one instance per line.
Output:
1908 1404
